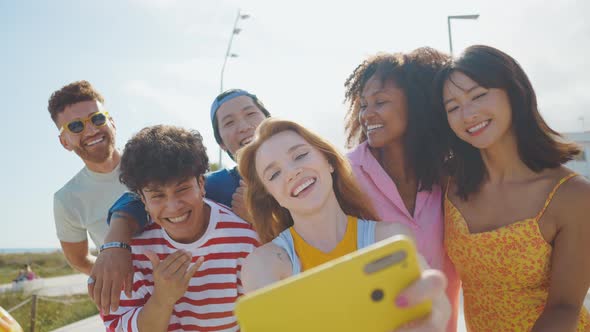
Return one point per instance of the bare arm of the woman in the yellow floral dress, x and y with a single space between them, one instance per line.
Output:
570 266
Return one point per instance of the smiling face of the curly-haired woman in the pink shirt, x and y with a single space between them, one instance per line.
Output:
383 112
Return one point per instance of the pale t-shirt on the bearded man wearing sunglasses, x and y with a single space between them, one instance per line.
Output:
82 205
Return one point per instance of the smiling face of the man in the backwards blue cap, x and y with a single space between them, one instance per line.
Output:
237 119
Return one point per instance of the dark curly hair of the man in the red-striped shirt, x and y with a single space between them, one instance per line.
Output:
160 154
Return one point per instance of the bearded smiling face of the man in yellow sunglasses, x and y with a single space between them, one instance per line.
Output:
94 144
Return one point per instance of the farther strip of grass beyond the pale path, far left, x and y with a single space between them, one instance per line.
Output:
45 265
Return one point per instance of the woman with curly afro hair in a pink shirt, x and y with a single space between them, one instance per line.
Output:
398 152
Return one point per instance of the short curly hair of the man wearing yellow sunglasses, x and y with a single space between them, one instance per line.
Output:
70 94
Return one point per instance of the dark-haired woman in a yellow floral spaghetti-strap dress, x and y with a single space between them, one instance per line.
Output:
517 225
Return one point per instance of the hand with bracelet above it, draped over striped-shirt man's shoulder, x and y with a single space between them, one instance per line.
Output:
112 272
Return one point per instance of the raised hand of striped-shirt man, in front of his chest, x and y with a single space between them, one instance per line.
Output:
172 275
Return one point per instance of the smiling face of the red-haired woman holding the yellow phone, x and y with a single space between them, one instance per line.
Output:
294 172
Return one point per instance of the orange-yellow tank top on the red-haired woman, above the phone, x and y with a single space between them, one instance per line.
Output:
310 256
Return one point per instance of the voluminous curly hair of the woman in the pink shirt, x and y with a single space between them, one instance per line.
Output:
414 74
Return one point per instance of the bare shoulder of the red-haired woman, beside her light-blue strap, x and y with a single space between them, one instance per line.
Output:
264 266
